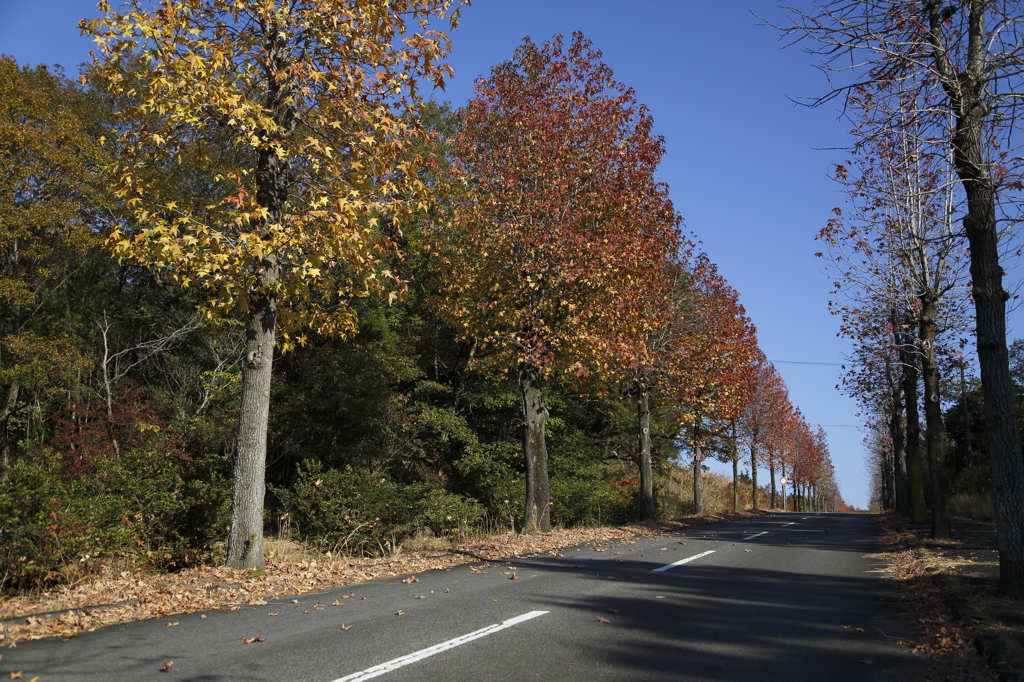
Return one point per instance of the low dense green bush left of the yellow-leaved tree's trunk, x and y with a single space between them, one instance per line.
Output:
138 507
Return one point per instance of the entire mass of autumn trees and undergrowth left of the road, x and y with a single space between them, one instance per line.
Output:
254 284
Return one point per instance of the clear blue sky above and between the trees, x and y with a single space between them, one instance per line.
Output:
748 169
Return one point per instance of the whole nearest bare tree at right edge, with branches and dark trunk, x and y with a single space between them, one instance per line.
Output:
964 60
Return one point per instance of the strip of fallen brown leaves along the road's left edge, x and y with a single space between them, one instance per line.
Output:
137 596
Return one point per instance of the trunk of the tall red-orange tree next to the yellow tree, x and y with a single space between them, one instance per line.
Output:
535 450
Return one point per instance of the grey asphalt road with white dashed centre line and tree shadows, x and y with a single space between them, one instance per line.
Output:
783 598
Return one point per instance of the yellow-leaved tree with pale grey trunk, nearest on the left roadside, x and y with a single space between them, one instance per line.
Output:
303 114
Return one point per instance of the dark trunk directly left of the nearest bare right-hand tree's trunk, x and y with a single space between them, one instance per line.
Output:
933 418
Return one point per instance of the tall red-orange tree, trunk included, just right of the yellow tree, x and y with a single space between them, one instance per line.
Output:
549 241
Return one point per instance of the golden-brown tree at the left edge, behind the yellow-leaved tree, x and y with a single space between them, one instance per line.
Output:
50 205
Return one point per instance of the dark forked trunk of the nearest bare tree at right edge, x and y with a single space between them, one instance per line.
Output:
967 92
